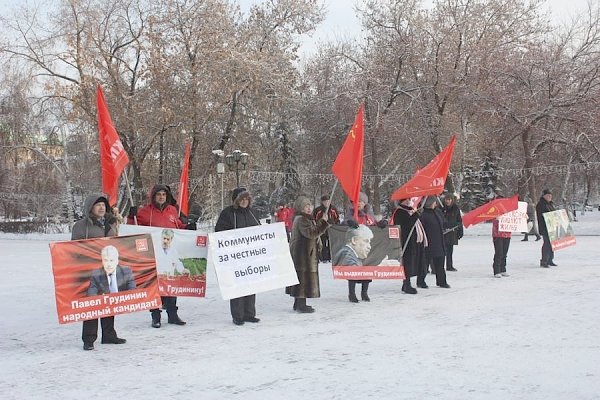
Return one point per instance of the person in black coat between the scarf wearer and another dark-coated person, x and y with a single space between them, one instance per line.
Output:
433 223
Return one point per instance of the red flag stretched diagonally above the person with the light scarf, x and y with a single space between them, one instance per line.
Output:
430 179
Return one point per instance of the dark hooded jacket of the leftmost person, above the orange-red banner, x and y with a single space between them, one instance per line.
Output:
91 227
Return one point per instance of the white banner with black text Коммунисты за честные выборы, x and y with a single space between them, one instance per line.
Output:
251 260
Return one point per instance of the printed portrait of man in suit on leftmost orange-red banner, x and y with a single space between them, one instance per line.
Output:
112 277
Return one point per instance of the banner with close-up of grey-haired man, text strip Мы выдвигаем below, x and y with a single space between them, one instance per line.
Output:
366 252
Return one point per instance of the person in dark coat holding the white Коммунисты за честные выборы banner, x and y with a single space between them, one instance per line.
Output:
239 215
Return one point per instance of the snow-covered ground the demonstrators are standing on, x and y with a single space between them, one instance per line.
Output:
533 335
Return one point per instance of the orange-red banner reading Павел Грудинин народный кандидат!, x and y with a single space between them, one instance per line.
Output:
97 278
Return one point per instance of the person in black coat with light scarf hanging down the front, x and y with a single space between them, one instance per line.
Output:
413 242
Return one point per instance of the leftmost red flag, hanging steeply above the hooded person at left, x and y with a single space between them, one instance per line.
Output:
113 158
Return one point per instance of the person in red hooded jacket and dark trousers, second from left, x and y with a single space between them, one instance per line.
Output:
160 212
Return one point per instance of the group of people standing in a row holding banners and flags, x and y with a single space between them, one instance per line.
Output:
428 236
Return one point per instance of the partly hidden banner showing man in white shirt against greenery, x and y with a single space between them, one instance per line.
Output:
180 259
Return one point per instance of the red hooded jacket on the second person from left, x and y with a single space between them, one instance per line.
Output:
153 214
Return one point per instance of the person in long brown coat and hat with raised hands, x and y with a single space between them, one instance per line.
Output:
305 245
